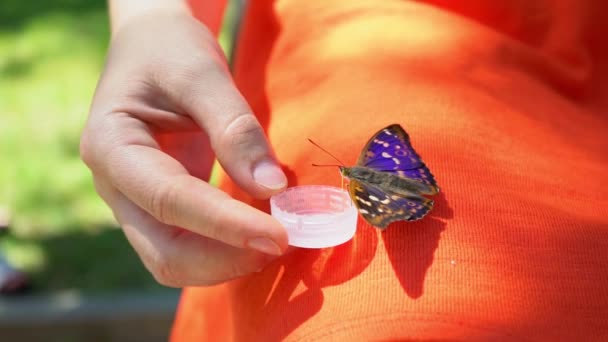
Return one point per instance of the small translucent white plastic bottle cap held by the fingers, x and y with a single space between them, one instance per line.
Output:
315 216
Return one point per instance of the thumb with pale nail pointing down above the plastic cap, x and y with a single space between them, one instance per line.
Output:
239 141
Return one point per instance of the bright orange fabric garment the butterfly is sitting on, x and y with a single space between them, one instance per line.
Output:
507 104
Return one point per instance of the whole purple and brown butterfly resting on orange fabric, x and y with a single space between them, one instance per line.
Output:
389 180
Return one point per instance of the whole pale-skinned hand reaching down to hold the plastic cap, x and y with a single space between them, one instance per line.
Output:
166 76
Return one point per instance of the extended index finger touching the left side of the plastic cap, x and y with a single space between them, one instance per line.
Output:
161 186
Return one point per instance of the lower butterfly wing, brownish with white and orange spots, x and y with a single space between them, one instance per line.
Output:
380 207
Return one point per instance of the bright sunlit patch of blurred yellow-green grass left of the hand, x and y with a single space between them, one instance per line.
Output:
48 69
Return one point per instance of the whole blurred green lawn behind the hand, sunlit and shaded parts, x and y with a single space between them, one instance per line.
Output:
61 233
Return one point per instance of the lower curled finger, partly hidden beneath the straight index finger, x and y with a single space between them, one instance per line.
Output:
176 257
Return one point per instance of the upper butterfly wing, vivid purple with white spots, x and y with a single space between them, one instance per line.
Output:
390 150
